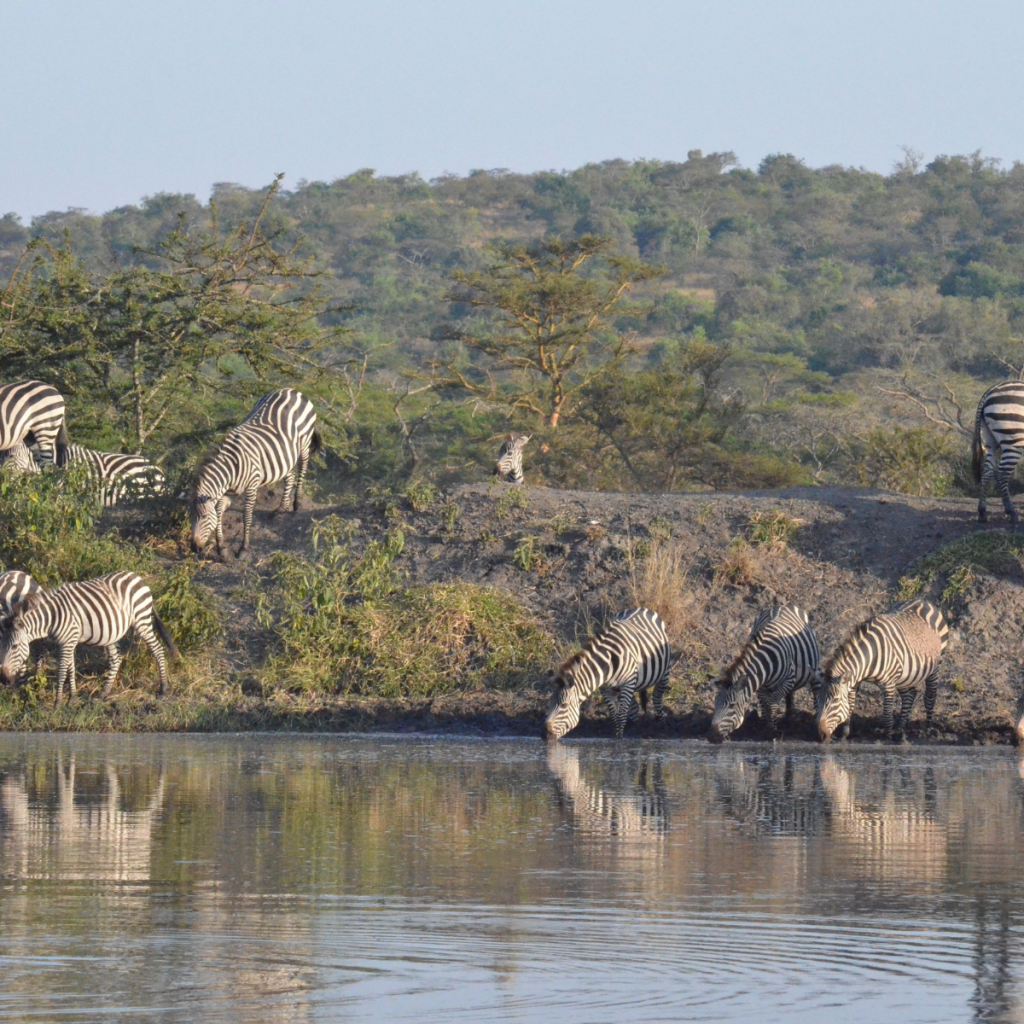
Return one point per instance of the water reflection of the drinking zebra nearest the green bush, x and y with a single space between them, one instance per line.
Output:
628 805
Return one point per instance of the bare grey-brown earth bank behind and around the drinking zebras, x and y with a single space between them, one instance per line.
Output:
844 563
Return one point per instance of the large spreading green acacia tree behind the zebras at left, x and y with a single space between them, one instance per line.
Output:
214 312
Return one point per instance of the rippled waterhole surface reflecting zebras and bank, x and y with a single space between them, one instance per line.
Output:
254 879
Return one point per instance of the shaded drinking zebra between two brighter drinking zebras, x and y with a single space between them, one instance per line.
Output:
781 656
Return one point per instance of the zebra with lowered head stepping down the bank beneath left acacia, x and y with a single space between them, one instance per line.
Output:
275 439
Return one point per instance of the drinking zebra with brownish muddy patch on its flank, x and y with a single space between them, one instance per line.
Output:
898 651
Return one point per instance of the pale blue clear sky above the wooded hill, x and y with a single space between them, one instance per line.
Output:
106 102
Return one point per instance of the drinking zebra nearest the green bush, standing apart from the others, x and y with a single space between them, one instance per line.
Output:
630 657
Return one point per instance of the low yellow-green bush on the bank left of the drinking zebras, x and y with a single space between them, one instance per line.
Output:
344 624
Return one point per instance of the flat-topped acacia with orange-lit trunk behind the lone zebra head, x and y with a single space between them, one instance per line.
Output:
551 330
